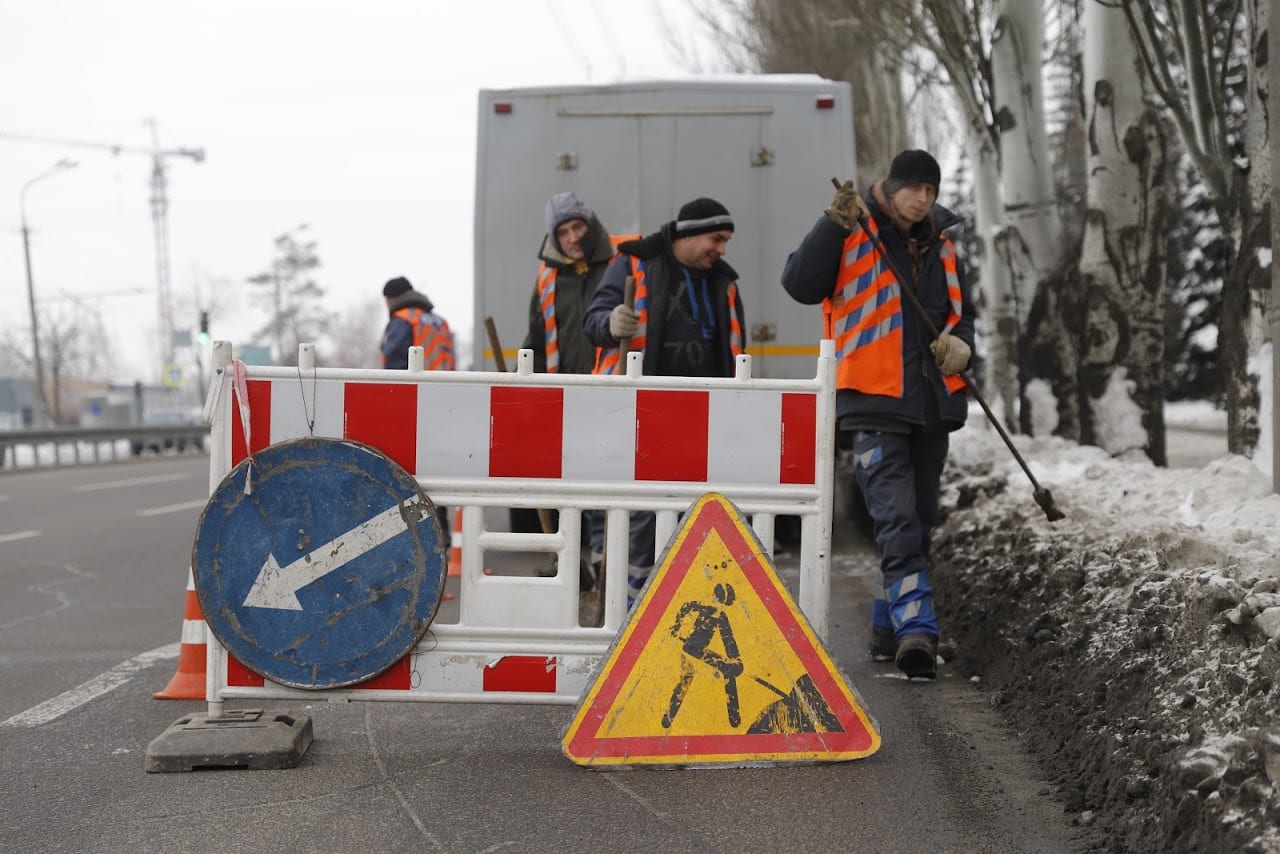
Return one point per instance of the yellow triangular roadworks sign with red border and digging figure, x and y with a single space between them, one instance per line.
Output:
717 666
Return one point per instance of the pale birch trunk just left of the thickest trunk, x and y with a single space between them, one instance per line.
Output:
1031 243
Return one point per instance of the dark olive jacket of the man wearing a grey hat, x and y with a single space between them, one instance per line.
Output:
574 291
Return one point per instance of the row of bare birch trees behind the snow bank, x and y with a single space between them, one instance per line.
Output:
1116 176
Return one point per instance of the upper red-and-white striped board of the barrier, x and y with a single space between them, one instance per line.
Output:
442 431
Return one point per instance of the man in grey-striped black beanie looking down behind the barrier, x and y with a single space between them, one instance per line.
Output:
688 319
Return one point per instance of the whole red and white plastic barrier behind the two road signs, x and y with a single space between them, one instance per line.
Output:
524 440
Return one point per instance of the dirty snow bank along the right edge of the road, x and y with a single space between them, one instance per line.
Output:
1136 645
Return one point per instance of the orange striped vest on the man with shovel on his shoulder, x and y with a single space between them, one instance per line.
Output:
865 317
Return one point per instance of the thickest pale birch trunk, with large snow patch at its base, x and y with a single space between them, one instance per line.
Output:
1123 255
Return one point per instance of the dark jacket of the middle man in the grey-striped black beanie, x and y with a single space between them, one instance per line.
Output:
665 280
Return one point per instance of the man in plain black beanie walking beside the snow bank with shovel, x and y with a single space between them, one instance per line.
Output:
899 387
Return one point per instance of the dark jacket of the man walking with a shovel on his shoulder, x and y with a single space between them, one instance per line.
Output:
810 277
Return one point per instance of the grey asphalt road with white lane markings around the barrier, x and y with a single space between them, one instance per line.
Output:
93 573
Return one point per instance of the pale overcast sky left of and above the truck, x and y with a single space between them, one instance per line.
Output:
358 120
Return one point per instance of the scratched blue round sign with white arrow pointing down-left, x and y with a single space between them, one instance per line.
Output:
328 572
